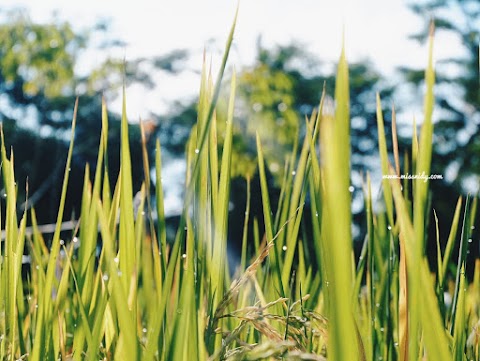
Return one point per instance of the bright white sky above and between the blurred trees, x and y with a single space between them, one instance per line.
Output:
374 29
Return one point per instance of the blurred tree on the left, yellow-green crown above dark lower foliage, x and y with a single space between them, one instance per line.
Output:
39 81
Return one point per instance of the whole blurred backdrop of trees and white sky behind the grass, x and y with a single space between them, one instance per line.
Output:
283 52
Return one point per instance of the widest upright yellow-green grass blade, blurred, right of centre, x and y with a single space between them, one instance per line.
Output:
336 218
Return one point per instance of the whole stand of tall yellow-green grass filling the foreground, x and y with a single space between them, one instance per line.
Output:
117 290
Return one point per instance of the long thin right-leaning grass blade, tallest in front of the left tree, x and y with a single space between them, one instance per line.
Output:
43 326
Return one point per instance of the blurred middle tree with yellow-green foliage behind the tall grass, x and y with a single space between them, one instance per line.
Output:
274 95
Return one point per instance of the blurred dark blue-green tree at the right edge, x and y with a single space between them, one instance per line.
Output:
456 132
